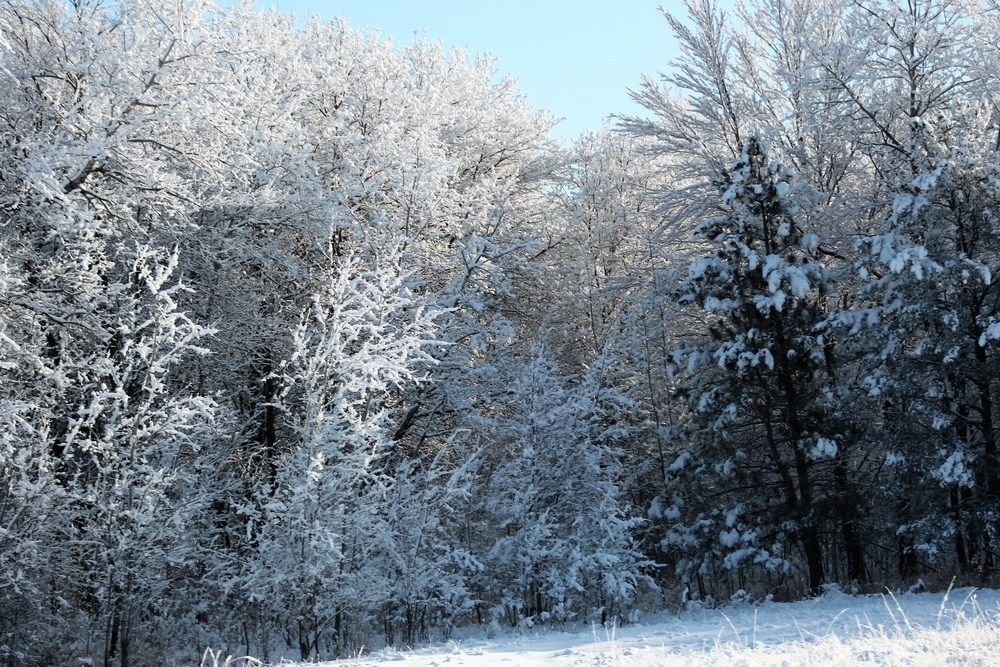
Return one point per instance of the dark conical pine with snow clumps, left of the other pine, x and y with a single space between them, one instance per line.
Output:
760 385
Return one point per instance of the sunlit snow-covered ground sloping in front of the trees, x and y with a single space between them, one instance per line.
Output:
958 628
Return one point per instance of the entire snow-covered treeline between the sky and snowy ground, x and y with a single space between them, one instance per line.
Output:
310 342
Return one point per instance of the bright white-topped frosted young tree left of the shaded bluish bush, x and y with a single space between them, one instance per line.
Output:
324 525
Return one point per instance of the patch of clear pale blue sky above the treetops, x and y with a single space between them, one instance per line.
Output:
575 58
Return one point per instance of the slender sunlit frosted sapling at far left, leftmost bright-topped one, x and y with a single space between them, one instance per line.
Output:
133 454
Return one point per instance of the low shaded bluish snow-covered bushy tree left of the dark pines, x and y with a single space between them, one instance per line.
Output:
561 531
